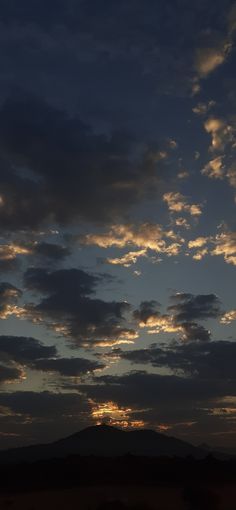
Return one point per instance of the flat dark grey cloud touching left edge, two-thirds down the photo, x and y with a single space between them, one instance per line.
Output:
24 350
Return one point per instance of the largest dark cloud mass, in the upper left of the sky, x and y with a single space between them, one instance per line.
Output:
72 173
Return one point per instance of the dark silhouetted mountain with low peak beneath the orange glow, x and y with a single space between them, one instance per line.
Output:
106 441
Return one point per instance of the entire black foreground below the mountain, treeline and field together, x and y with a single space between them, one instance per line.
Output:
124 483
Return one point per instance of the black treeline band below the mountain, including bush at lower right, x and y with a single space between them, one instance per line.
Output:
76 471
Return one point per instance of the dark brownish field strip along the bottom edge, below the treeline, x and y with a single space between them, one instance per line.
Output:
125 497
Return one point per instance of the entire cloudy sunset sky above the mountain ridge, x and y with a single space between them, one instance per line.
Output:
117 218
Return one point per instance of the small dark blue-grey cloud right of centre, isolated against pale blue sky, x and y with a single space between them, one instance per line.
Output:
188 307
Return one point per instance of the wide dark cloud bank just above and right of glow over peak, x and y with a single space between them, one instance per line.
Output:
165 397
